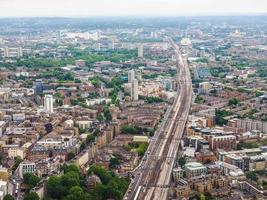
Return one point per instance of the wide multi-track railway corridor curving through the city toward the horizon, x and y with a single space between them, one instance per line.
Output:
153 176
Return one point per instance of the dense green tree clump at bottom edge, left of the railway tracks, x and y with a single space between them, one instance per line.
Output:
71 185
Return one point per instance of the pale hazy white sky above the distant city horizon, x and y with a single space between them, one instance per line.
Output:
128 7
